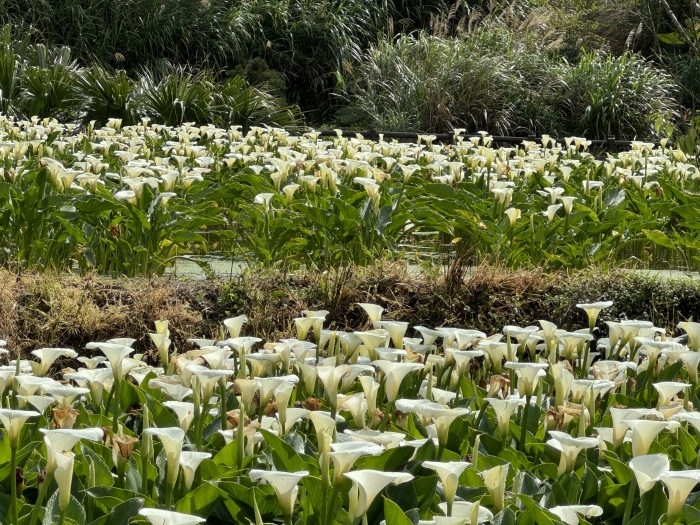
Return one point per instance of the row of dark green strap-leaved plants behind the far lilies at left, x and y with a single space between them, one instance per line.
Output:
40 81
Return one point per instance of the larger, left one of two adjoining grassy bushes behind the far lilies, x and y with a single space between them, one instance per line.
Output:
483 81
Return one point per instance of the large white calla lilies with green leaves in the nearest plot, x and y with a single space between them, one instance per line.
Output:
533 424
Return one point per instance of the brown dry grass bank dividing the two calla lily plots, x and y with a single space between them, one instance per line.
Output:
69 311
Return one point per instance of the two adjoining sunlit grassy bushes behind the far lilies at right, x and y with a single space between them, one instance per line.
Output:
492 80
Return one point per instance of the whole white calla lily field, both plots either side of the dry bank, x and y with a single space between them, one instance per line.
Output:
383 422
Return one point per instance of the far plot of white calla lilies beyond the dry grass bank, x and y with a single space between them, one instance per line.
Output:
130 200
